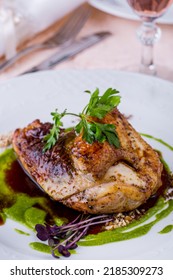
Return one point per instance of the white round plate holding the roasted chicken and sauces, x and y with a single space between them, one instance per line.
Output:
149 100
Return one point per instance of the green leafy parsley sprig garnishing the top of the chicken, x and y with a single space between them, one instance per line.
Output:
91 130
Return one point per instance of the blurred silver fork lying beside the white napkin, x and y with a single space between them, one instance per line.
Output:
65 35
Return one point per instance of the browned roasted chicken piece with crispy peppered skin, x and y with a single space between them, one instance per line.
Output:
93 178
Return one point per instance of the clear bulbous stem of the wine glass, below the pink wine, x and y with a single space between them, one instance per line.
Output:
148 34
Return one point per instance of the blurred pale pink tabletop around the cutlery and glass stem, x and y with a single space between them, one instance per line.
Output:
120 51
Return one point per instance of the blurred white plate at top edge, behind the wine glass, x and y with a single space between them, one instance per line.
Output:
120 8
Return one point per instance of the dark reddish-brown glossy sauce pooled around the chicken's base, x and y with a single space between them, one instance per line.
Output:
20 183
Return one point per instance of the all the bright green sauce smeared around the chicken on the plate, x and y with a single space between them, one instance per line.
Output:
21 208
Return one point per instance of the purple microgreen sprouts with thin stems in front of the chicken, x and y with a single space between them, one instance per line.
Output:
63 238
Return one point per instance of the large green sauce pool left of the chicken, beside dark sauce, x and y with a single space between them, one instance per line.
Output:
20 207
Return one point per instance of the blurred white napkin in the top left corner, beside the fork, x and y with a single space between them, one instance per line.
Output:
24 19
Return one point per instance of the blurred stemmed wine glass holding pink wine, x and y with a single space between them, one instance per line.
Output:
149 32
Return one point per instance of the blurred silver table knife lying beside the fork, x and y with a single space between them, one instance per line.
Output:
69 51
